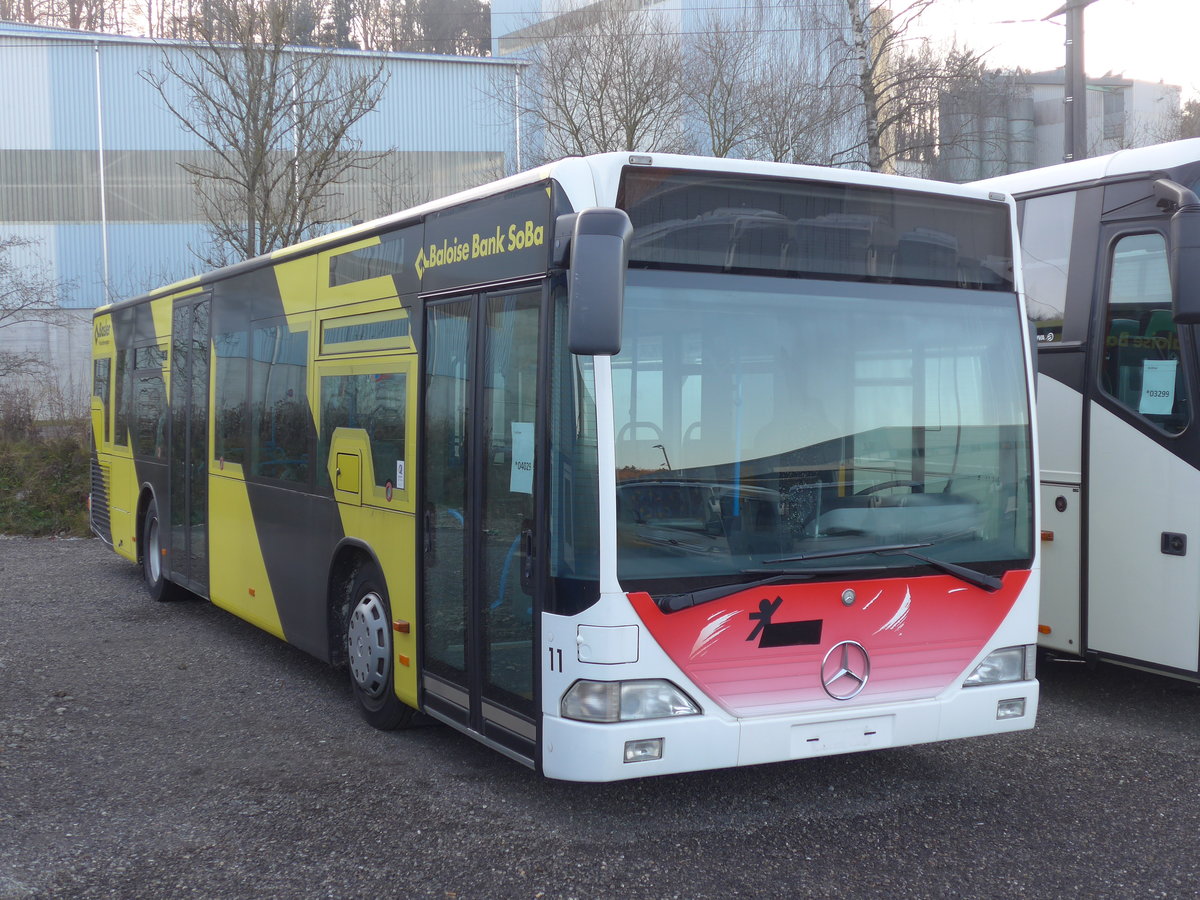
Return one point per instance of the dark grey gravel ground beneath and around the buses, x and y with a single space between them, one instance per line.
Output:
171 751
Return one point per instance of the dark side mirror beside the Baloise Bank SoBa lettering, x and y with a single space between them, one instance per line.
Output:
597 287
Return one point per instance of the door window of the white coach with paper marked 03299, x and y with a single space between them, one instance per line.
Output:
1142 368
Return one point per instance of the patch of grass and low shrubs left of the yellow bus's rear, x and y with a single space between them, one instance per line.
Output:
44 487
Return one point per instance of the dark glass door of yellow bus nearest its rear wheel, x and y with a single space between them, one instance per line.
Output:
189 496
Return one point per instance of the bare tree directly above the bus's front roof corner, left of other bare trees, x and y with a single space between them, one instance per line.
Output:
603 77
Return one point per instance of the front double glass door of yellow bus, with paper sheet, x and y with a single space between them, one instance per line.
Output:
479 523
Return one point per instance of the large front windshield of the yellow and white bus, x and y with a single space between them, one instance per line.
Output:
763 418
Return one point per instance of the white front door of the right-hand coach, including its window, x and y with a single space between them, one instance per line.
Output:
1143 521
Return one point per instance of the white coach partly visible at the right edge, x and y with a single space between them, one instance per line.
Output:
1112 261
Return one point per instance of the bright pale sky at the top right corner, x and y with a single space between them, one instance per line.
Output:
1145 40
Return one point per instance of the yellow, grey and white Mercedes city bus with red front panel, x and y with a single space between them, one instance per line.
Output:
627 466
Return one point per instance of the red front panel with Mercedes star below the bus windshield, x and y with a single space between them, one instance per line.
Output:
761 652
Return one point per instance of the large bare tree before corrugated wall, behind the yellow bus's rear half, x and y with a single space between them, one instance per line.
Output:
277 119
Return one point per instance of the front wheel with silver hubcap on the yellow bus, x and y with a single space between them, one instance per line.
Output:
369 652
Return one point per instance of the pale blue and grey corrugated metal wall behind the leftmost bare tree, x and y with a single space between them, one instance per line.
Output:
437 123
